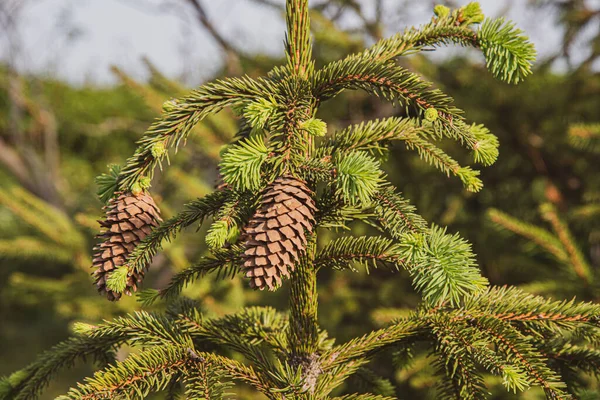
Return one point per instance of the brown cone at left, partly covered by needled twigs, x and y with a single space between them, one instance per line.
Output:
129 219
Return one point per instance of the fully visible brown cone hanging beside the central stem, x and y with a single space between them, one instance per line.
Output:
275 236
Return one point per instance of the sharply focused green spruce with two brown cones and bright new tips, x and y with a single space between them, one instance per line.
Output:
287 180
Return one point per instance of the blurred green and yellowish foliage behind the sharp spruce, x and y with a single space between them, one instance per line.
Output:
536 223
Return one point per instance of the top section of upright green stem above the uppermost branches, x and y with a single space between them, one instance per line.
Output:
298 40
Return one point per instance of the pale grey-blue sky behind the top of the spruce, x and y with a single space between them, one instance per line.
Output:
78 40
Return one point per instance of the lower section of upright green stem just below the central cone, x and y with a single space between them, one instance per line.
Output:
303 331
